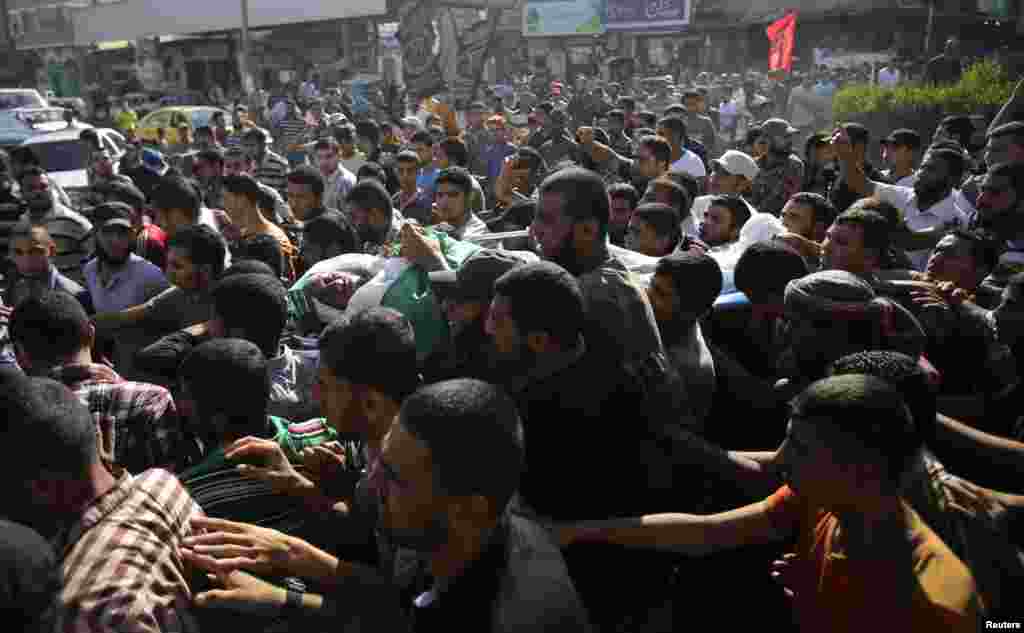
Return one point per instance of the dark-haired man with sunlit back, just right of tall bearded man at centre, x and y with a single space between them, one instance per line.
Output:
682 292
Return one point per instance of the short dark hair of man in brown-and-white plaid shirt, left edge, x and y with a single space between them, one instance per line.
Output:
54 431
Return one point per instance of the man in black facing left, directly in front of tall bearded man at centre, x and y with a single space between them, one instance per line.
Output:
556 371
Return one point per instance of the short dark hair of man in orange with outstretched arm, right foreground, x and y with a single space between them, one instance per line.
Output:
868 409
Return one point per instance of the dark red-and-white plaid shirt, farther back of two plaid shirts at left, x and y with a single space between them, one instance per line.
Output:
138 423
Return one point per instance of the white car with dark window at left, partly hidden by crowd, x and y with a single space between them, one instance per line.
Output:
65 158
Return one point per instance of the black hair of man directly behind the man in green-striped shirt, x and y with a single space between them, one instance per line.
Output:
257 305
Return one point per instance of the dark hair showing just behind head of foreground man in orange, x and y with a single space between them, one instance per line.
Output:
904 373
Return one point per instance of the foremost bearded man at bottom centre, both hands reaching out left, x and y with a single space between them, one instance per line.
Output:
466 563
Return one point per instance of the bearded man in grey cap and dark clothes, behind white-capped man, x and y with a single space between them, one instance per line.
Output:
781 172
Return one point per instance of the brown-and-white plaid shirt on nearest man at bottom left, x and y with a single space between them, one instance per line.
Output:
121 562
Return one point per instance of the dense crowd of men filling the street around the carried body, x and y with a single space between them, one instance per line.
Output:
690 378
